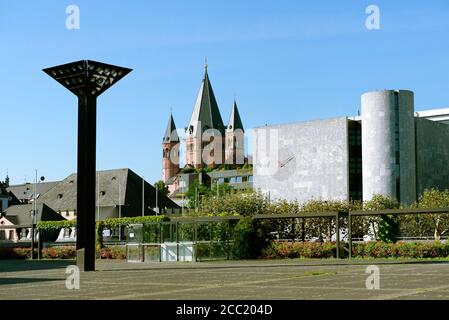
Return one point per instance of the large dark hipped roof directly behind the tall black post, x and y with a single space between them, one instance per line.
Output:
63 196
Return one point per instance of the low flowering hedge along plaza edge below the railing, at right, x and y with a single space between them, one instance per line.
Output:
360 250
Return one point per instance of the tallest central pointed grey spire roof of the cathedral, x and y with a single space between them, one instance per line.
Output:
205 111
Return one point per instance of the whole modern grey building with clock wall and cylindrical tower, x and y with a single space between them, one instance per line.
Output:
388 150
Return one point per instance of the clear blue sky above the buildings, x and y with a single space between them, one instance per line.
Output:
284 60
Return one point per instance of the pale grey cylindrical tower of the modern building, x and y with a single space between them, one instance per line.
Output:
388 145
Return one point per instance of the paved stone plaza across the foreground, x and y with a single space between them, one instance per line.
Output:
258 279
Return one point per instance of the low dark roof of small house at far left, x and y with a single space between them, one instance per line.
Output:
21 214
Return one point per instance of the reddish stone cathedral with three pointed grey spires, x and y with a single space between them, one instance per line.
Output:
208 142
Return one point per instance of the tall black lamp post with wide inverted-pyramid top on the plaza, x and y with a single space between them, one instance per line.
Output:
86 79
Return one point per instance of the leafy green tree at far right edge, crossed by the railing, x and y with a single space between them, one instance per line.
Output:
434 198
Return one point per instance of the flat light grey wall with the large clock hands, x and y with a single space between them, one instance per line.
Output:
301 161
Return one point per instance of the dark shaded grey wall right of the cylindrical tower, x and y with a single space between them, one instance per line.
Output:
432 144
